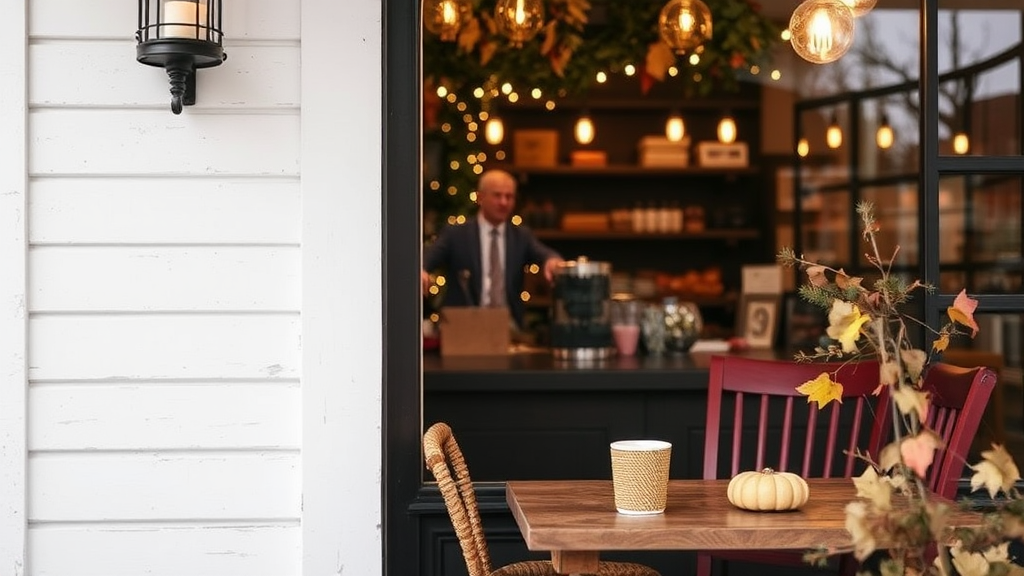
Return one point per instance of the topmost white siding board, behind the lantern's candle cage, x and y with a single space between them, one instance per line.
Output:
257 20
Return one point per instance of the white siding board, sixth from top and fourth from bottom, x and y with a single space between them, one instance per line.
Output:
163 347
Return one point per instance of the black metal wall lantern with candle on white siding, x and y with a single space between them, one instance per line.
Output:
181 36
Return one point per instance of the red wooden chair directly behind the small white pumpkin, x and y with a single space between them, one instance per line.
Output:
773 426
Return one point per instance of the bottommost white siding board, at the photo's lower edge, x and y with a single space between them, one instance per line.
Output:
243 550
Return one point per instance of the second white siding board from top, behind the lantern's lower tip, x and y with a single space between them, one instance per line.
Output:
251 77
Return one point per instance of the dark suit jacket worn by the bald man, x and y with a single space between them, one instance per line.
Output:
458 252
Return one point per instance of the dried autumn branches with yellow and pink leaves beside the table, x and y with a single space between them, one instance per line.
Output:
869 321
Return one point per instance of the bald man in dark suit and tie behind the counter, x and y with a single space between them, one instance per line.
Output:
485 258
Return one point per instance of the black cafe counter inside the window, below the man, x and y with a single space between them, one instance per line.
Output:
528 416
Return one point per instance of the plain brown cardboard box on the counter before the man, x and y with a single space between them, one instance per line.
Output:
476 332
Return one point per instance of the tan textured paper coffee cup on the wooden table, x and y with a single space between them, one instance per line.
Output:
641 476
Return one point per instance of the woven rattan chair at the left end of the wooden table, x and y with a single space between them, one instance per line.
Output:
446 462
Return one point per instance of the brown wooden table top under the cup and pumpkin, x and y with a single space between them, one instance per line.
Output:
581 516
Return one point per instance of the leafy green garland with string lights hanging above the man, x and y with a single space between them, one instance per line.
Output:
579 42
